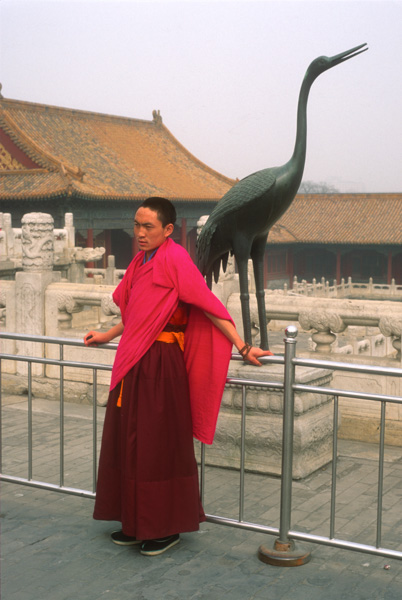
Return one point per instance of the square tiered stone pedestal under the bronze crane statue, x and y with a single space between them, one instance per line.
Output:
313 425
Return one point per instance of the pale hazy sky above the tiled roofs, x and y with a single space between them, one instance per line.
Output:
225 75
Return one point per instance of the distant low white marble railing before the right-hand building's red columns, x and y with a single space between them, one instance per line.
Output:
348 289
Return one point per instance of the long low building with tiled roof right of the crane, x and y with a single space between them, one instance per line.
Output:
337 236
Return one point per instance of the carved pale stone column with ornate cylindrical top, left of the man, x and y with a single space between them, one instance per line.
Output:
30 284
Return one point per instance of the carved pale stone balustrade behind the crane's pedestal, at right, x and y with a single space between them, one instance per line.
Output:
327 319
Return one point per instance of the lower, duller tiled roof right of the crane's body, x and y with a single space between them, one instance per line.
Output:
341 219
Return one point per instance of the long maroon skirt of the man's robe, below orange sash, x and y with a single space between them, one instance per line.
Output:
148 476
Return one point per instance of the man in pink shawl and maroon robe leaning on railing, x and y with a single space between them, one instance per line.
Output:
166 387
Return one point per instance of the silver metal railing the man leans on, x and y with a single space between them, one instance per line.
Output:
284 551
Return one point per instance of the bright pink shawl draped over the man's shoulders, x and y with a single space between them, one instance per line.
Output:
148 296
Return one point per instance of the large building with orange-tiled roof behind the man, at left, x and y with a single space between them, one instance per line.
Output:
99 167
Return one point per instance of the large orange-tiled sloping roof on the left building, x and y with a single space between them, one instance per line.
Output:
48 152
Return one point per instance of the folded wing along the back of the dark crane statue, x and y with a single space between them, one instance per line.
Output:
239 197
